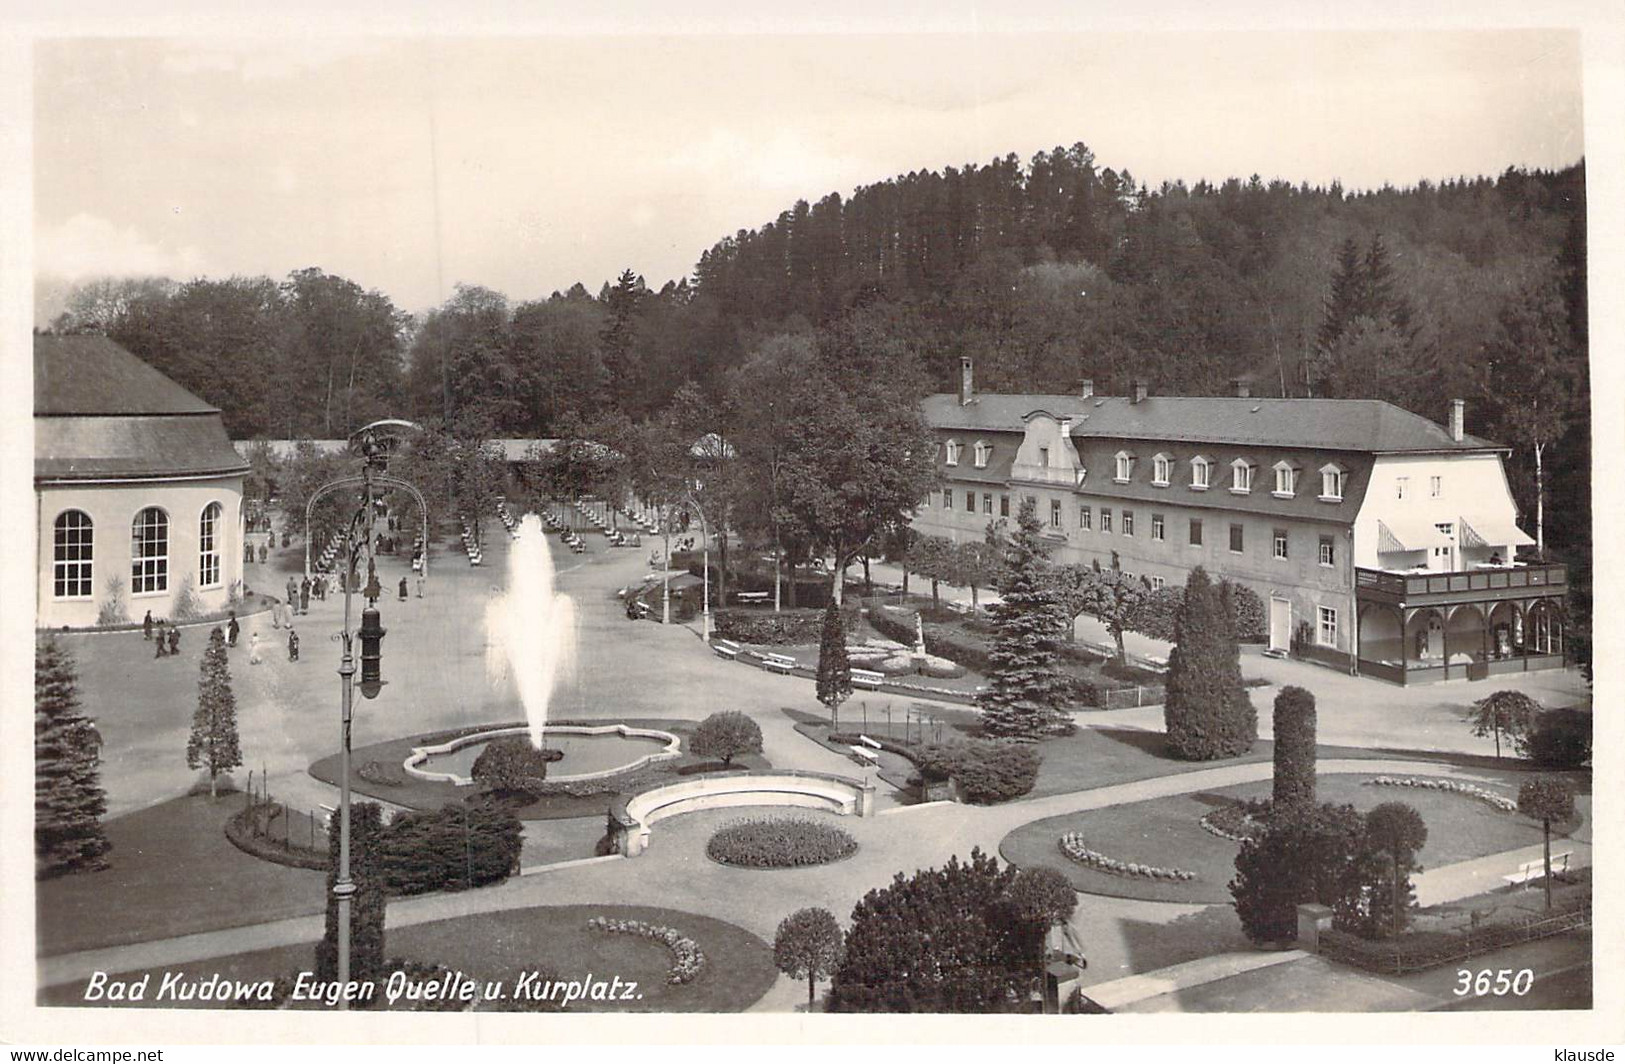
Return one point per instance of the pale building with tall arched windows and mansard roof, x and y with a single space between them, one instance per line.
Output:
137 491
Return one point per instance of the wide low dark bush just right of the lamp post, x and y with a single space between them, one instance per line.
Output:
457 847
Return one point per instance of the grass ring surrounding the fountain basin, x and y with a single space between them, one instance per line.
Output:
431 795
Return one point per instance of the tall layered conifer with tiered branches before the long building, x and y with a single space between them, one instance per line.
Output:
1026 698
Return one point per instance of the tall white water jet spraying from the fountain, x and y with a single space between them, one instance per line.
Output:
532 629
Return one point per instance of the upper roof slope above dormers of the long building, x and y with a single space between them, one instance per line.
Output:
1369 426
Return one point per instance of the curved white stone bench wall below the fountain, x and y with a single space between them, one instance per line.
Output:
631 820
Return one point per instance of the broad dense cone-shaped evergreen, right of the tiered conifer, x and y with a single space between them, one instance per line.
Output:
1208 712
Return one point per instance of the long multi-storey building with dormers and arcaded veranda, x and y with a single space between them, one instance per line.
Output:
1379 540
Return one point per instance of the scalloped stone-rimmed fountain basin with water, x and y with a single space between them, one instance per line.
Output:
589 753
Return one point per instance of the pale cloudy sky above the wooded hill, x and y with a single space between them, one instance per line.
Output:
529 163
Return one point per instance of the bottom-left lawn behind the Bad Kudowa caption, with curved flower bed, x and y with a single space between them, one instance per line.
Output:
505 945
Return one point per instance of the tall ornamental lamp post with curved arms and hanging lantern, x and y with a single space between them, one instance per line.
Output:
358 540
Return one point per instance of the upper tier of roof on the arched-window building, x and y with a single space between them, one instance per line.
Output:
92 376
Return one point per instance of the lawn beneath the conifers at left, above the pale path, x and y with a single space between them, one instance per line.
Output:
173 873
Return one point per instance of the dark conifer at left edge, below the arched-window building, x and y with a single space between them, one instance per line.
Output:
69 800
